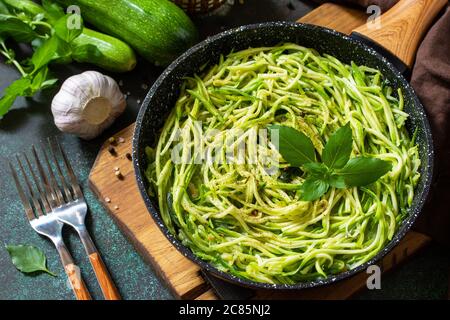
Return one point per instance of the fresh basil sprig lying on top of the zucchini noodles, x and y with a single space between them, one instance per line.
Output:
336 169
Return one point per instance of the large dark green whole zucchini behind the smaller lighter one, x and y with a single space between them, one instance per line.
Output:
157 29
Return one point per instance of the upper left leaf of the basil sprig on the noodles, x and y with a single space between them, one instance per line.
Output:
294 146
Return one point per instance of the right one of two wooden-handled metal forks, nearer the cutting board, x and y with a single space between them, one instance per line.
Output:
70 207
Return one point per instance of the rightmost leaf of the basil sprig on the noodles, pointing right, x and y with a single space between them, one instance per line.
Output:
362 171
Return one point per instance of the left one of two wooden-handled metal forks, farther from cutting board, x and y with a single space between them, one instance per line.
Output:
37 208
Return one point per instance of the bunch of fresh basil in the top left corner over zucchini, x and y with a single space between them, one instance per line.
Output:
52 41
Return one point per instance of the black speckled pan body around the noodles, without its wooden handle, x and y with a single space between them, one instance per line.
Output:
162 96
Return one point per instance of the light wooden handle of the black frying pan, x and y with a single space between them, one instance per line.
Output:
403 27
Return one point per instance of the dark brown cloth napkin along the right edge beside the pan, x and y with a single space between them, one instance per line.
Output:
431 80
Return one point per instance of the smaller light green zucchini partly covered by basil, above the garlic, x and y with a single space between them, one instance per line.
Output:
110 53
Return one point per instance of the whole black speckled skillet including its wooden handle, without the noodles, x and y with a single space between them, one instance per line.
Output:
401 32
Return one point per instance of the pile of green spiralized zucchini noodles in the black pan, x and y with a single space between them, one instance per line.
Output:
250 222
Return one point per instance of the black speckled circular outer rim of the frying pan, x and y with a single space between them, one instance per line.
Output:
400 233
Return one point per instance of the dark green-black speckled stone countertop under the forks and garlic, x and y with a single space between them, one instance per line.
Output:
31 121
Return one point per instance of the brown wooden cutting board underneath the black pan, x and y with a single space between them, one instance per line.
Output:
123 201
